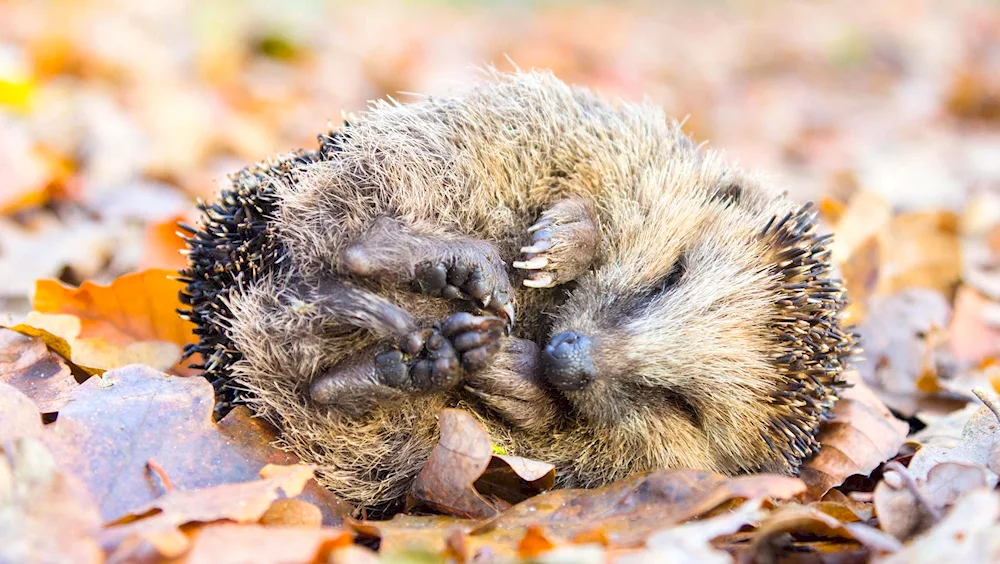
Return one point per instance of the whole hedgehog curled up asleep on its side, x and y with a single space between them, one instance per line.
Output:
601 292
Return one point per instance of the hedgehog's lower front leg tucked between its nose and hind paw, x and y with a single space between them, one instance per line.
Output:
514 387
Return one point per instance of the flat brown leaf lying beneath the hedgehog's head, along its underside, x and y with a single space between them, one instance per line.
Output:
627 512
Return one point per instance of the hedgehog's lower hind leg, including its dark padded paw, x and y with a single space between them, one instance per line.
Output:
423 361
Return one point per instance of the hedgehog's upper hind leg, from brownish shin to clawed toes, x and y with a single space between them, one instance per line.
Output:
438 264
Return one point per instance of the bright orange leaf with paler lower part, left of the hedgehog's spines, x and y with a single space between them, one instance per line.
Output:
133 319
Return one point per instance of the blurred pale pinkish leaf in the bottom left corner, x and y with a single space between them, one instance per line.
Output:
46 515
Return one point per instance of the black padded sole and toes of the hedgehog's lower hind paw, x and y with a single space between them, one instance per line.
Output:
438 358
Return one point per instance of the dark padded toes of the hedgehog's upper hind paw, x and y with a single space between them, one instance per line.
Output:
463 279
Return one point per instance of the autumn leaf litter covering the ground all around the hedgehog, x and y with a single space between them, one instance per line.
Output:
891 122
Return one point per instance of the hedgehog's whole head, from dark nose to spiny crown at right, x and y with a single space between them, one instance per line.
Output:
698 294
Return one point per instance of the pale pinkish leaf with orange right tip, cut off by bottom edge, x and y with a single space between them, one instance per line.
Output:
226 542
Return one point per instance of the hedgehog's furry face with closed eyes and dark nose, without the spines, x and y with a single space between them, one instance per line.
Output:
654 329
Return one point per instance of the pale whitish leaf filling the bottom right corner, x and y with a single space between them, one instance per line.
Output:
969 533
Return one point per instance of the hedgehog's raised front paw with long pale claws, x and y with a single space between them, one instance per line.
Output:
563 245
